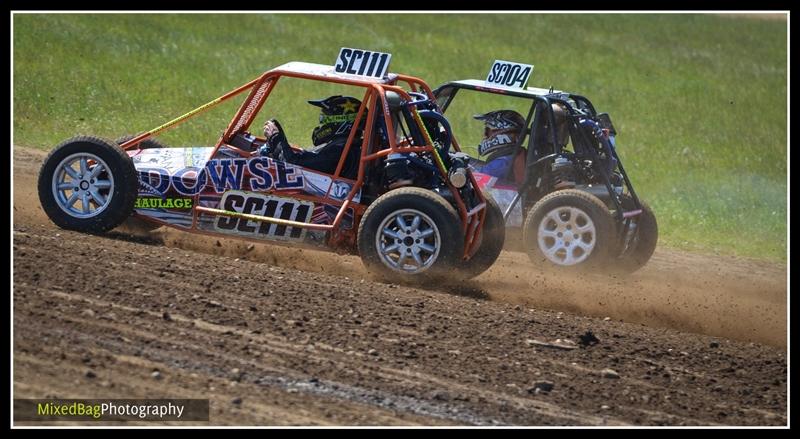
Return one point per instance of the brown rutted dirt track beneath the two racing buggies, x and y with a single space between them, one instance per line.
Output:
273 338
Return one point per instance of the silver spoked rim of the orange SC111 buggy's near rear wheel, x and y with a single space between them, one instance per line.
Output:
408 241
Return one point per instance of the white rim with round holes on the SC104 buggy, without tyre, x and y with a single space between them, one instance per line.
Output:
567 236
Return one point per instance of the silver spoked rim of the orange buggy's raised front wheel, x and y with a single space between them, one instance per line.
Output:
83 180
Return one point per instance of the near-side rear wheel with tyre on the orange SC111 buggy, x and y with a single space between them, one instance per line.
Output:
410 235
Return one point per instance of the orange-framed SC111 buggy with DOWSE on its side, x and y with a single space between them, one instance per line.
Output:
413 212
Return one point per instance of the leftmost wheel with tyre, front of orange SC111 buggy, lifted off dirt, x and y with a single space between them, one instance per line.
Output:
87 184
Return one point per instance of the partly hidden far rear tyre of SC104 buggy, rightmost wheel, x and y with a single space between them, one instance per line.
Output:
635 250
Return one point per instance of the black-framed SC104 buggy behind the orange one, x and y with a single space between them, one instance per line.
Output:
575 204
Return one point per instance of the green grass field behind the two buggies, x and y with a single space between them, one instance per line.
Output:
700 100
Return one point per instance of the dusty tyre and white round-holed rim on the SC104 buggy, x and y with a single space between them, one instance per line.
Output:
569 229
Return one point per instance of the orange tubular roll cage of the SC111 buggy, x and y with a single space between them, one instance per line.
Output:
471 210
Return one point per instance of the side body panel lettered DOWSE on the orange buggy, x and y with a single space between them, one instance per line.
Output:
173 180
